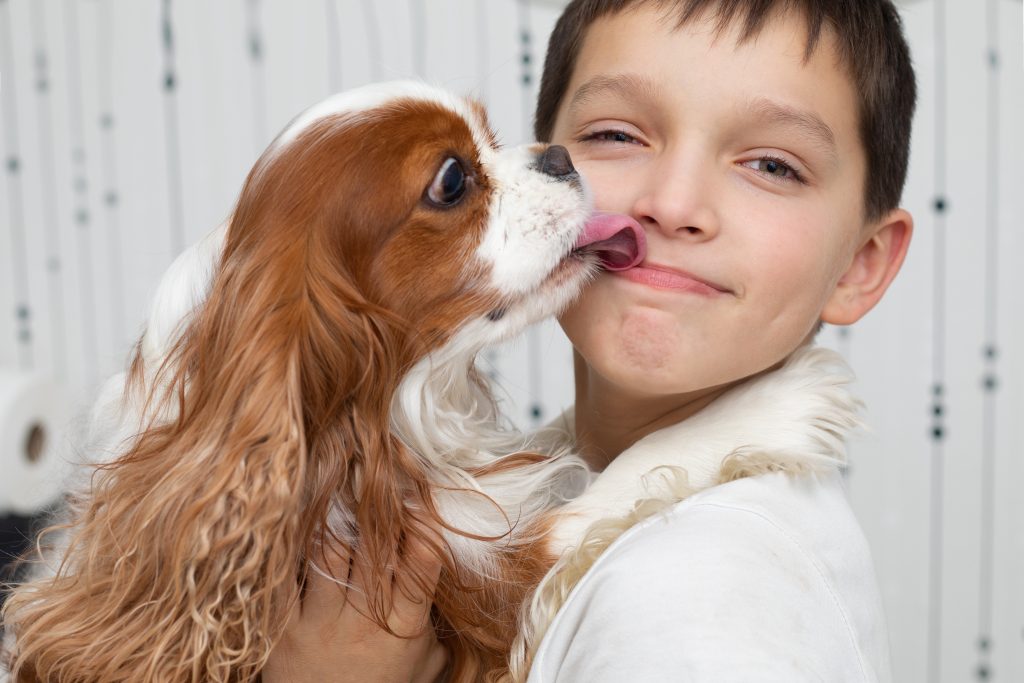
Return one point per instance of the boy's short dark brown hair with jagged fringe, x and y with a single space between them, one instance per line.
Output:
870 42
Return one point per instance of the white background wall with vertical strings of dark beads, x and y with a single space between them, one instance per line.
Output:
945 518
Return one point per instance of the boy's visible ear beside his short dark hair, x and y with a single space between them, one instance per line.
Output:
874 267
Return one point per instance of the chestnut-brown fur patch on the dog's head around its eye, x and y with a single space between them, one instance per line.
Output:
361 204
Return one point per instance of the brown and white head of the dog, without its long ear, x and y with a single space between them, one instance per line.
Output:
404 190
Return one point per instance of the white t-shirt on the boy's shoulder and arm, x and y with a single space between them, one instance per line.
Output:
764 579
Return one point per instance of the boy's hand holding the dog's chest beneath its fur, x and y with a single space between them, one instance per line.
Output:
328 638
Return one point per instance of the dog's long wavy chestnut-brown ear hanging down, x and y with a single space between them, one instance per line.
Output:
271 408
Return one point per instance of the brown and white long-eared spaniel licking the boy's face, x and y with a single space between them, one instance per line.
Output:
308 374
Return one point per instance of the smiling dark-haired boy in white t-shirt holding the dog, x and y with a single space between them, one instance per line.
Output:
763 147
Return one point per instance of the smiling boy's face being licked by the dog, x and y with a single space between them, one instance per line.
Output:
744 164
